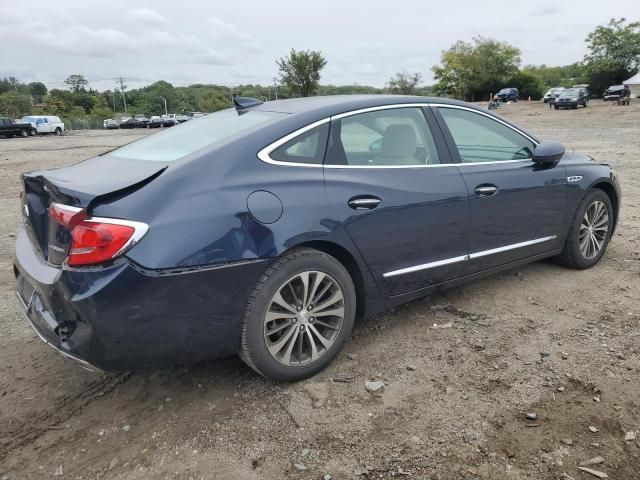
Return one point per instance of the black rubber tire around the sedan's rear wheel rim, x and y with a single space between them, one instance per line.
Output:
253 346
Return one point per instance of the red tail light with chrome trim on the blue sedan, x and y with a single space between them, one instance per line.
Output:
96 240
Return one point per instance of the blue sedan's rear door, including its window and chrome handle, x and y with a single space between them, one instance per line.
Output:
387 180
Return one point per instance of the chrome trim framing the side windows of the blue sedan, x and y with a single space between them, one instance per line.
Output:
264 153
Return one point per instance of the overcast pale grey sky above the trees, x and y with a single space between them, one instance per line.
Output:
233 42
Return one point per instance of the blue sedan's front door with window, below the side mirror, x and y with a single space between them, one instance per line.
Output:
517 207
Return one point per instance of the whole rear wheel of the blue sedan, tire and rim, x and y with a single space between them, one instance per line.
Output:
298 316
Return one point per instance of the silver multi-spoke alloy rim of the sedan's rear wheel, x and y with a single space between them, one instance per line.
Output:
304 318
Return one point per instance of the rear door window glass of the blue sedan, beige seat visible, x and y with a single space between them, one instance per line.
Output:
389 137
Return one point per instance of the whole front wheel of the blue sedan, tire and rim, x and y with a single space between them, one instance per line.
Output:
589 232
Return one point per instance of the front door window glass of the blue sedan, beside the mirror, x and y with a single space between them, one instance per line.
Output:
483 139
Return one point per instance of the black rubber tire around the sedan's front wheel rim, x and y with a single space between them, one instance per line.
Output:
571 255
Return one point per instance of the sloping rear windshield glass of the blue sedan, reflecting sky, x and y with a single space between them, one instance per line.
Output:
186 138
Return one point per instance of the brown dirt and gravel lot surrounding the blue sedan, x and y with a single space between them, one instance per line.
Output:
542 339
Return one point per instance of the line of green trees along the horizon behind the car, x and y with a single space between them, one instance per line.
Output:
468 70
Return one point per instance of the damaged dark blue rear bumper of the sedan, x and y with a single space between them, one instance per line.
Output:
123 317
